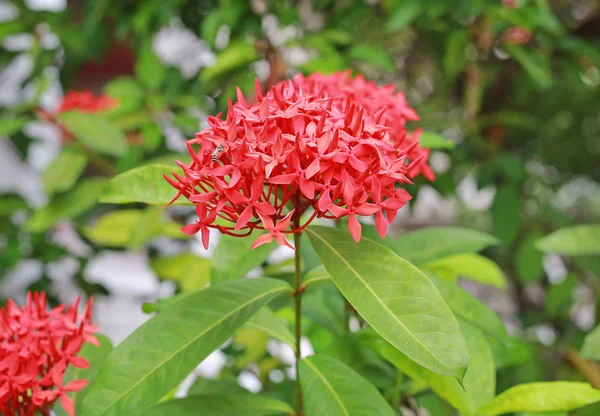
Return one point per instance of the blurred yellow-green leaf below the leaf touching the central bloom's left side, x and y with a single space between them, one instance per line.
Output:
122 228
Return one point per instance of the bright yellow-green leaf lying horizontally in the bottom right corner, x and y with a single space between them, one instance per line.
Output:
542 397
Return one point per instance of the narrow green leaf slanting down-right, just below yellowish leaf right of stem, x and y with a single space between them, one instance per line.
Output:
470 309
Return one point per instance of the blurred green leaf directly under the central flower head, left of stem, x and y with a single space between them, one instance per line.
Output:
233 258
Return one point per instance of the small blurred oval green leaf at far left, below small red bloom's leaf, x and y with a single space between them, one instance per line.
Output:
64 171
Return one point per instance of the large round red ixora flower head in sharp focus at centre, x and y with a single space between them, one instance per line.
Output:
328 146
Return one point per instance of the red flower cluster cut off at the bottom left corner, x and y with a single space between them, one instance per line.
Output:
36 346
